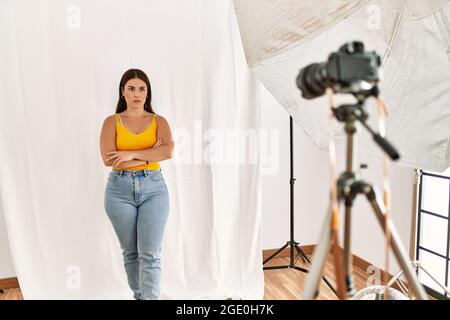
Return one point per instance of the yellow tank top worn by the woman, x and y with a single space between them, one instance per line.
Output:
127 140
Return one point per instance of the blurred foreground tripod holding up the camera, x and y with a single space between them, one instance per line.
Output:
348 187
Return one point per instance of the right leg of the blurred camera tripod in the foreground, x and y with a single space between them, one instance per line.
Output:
397 247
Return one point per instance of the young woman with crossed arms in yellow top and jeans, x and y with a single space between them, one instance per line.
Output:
133 141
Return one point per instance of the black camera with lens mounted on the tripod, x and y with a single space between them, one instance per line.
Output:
349 70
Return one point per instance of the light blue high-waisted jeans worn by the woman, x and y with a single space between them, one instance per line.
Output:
137 204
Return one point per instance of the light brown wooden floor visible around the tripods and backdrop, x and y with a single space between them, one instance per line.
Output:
280 284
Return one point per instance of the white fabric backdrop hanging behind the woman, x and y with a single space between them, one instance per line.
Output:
61 63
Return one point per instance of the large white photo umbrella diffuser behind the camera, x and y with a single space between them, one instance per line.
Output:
413 36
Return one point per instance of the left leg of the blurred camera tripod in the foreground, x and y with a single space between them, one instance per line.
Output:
318 260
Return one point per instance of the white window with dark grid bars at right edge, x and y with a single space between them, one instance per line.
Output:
433 230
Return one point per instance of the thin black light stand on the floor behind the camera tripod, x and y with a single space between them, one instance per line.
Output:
292 244
